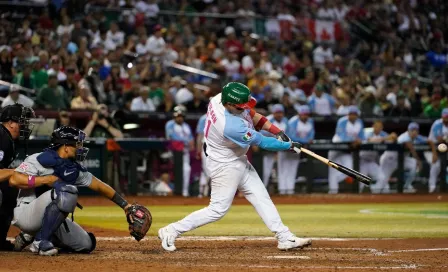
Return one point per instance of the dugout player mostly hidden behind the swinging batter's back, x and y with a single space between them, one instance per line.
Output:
204 178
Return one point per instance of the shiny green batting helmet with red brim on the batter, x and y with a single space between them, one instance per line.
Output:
237 94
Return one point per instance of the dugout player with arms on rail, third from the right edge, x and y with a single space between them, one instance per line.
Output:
368 164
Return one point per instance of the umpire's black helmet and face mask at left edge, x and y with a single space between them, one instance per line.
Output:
21 115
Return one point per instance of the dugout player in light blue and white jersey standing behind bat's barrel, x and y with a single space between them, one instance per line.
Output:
349 129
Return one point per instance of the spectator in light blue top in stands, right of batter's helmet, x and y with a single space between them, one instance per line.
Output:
321 103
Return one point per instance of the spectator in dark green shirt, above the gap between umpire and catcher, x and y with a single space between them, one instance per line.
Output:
52 96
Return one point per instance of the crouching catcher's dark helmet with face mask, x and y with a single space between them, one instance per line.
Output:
70 136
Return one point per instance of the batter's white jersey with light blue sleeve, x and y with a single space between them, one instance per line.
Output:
219 147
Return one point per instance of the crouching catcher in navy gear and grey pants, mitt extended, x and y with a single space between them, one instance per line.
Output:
48 184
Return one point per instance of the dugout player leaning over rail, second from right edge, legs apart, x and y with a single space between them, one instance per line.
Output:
389 160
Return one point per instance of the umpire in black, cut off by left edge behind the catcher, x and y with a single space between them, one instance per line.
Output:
15 125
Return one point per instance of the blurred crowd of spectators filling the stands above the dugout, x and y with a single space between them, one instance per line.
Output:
388 57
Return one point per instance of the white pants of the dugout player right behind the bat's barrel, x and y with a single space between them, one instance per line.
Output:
334 176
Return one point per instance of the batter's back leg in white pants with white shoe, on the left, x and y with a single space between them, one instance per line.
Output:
225 179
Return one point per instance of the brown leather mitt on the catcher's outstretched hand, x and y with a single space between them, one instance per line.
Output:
139 219
